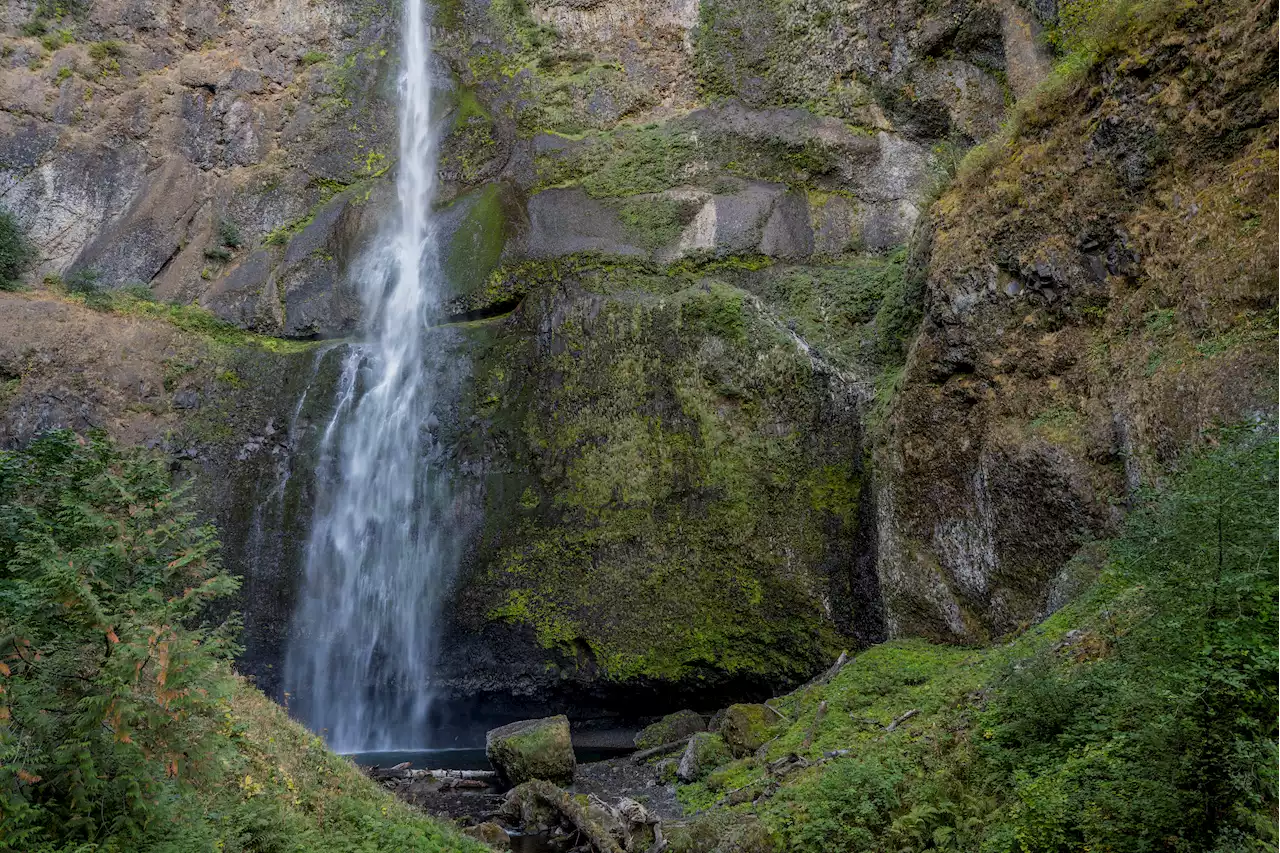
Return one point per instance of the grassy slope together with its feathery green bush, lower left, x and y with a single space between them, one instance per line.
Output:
122 727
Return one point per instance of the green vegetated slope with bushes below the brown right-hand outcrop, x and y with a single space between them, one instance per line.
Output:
1145 717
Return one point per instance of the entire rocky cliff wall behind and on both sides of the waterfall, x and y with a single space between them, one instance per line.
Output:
700 444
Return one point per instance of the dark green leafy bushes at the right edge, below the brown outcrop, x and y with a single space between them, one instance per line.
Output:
1165 723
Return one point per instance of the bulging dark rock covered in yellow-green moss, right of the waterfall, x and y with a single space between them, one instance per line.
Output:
670 509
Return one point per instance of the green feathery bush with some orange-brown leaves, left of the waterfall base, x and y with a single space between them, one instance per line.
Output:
113 686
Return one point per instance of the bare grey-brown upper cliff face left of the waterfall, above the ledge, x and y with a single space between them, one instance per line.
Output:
227 159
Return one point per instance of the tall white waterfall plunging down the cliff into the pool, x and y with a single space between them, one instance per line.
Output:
359 659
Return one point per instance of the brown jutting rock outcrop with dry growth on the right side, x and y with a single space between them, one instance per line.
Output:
1082 331
